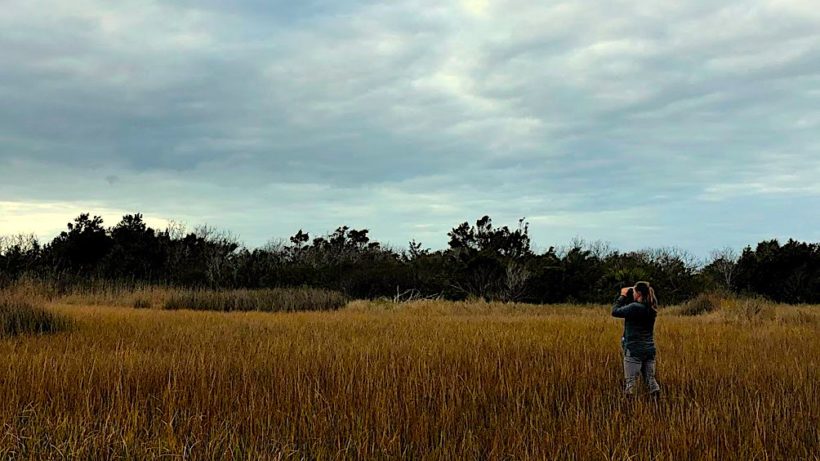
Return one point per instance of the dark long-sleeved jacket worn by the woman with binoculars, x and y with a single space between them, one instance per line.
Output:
639 327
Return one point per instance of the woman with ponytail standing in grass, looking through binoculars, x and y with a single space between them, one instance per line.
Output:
638 306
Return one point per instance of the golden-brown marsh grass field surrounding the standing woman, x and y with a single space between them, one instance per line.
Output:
422 380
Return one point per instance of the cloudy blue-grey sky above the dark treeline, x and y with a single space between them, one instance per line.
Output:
688 124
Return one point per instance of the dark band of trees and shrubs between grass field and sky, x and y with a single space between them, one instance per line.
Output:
481 260
